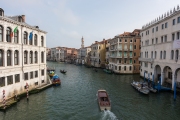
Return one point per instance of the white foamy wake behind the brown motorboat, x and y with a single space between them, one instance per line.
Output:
108 115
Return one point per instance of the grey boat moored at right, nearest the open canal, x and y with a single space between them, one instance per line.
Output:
142 88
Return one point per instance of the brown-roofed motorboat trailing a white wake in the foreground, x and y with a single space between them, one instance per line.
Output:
103 100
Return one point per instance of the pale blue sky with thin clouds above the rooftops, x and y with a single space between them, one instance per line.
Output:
66 21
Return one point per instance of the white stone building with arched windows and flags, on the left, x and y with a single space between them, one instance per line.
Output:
21 60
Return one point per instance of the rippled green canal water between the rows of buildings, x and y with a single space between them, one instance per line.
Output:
76 99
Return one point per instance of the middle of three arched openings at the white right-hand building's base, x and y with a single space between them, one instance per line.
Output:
167 76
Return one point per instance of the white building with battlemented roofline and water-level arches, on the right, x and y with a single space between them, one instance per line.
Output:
158 56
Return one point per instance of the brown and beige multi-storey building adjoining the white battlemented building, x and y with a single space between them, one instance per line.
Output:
124 52
